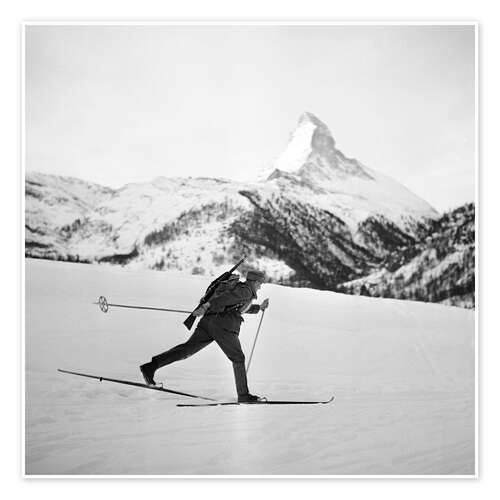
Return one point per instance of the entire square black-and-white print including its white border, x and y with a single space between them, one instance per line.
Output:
250 249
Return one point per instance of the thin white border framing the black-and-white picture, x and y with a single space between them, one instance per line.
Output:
22 108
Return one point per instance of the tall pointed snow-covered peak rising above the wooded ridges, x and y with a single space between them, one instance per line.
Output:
311 167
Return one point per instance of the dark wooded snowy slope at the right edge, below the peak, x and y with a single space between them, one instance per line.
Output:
439 267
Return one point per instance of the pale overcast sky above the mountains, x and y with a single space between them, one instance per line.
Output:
120 104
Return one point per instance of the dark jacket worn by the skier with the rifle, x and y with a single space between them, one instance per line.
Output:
226 309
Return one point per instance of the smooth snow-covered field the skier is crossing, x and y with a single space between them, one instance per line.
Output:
402 374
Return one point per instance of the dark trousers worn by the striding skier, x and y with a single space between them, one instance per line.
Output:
205 333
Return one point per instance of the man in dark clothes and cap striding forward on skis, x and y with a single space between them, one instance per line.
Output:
221 322
